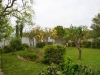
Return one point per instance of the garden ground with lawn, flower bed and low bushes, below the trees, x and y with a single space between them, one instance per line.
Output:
51 59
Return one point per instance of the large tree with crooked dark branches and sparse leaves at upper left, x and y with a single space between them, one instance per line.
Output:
20 10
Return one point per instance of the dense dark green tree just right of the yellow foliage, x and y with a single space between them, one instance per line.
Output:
60 33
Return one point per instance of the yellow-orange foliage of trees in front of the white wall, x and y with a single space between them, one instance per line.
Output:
41 34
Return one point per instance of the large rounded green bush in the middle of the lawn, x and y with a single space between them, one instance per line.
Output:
53 54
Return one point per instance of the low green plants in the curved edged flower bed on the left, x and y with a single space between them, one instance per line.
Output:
29 55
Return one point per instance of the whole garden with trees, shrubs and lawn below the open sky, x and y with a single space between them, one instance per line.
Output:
73 50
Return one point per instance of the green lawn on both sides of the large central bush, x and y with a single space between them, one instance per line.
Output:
12 65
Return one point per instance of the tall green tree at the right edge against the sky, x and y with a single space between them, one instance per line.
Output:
96 26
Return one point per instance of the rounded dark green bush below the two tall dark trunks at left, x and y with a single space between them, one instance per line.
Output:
16 44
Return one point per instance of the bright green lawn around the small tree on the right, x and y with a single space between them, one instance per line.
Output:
90 57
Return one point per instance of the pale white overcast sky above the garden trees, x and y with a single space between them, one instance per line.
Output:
50 13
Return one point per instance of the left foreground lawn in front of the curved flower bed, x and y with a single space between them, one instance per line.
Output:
12 65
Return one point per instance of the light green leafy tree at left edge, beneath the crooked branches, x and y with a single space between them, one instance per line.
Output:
5 29
